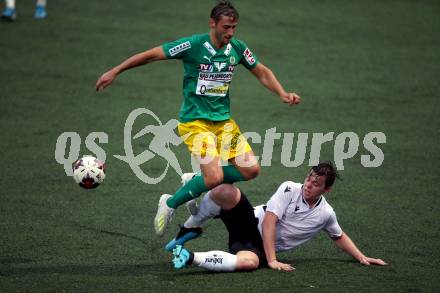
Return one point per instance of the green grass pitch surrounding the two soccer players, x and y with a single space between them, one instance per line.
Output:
360 66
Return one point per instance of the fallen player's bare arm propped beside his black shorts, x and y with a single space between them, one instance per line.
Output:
269 231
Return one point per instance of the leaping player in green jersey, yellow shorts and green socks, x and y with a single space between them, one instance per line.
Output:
205 124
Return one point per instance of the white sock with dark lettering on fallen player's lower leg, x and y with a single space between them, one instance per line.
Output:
218 261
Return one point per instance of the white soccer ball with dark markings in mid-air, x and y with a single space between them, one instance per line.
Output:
88 172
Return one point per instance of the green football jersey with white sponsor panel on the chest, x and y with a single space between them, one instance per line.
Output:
208 73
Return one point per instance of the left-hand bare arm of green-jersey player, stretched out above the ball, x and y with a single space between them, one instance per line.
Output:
143 58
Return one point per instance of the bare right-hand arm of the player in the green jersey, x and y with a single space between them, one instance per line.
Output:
268 79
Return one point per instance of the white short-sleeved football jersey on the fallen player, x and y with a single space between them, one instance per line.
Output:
297 223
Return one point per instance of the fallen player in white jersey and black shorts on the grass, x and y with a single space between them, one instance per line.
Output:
293 215
